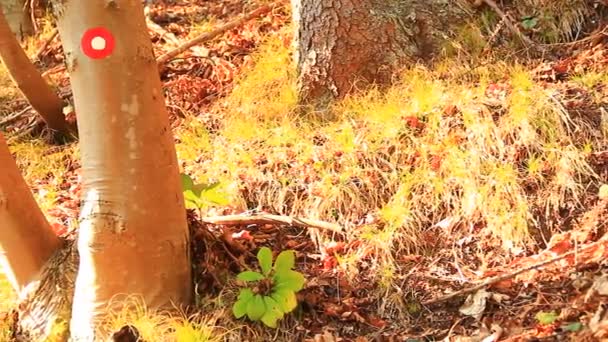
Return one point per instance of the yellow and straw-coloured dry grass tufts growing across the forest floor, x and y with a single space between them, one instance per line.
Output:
433 148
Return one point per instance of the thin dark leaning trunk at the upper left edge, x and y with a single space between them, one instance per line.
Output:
29 81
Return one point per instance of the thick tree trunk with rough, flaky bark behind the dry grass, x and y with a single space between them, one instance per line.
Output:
341 42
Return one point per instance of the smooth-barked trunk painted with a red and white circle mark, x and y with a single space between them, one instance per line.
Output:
133 236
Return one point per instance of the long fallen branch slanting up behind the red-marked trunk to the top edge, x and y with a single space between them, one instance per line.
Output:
162 60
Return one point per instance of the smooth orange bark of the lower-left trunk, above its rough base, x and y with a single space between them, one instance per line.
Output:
26 239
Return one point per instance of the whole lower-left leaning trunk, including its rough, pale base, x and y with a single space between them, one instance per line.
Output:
39 265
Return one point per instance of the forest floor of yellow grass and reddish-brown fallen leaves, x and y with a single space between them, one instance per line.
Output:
474 171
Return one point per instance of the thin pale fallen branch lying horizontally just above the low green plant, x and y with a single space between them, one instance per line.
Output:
272 219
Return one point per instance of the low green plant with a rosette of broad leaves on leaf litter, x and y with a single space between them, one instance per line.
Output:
273 290
